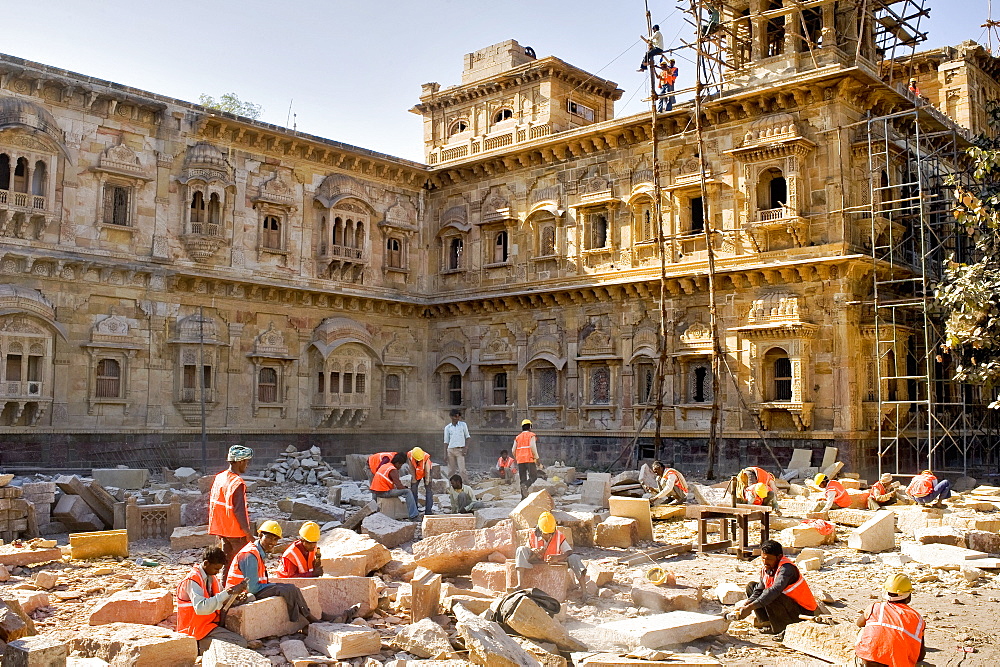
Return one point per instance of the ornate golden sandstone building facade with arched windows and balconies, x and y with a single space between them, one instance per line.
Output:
157 257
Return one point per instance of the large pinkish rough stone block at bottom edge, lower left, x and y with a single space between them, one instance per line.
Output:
132 645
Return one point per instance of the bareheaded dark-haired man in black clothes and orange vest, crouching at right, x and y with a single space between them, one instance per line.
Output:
780 596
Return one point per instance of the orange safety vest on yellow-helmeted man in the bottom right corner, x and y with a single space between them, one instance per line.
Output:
893 635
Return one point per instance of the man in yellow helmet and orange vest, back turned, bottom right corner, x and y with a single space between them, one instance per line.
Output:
893 632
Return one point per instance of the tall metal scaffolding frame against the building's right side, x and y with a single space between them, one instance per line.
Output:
924 418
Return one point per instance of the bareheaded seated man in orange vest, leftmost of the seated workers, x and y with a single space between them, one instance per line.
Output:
200 601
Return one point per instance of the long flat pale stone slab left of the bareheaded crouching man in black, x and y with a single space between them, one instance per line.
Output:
660 630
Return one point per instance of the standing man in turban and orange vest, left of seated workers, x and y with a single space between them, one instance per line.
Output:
228 510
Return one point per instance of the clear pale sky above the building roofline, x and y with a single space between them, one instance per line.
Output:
354 69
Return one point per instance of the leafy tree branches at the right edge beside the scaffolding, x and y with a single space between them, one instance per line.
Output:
970 292
